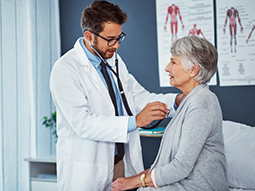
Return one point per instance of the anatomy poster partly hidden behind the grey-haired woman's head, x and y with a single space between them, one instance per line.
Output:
179 18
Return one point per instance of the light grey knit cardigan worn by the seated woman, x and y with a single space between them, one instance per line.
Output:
191 154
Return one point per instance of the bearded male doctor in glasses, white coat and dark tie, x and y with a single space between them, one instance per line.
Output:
87 125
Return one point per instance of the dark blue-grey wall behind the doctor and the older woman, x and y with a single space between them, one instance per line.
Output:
139 51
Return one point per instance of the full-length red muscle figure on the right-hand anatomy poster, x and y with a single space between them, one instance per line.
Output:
232 15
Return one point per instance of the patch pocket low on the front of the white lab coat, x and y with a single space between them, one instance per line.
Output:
87 176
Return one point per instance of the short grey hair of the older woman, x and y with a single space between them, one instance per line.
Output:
195 50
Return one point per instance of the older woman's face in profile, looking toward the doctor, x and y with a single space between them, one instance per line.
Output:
178 76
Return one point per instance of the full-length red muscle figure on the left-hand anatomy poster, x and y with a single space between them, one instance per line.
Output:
173 11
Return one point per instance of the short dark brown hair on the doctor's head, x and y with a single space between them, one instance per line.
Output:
100 12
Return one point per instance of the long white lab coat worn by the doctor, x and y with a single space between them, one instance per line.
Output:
86 126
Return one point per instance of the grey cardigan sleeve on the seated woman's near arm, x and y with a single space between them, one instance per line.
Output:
194 133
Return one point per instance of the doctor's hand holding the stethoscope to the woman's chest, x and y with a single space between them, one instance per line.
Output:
152 111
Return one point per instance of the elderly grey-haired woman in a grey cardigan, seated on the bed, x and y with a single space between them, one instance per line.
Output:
191 153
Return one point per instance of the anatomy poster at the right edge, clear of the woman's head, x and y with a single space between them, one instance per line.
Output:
236 42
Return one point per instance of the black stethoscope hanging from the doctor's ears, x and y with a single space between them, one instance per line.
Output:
121 90
